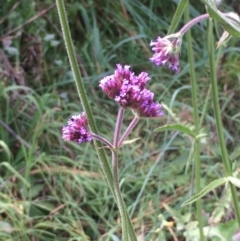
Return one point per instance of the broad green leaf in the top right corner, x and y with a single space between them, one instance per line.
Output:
229 25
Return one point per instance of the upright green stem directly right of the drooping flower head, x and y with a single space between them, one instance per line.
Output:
196 123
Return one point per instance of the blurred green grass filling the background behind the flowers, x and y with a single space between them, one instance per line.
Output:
55 190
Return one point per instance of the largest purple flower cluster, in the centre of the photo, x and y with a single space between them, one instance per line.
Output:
130 91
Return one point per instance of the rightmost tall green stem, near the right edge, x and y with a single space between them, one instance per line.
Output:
219 125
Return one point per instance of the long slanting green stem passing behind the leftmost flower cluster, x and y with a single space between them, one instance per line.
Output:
83 97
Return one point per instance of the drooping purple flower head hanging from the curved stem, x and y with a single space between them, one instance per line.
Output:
166 51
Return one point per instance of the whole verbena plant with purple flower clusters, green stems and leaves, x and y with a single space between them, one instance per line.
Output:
129 91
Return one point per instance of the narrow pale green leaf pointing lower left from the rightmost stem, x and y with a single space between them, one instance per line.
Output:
204 191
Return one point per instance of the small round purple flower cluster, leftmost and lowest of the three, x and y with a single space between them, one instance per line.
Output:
76 129
